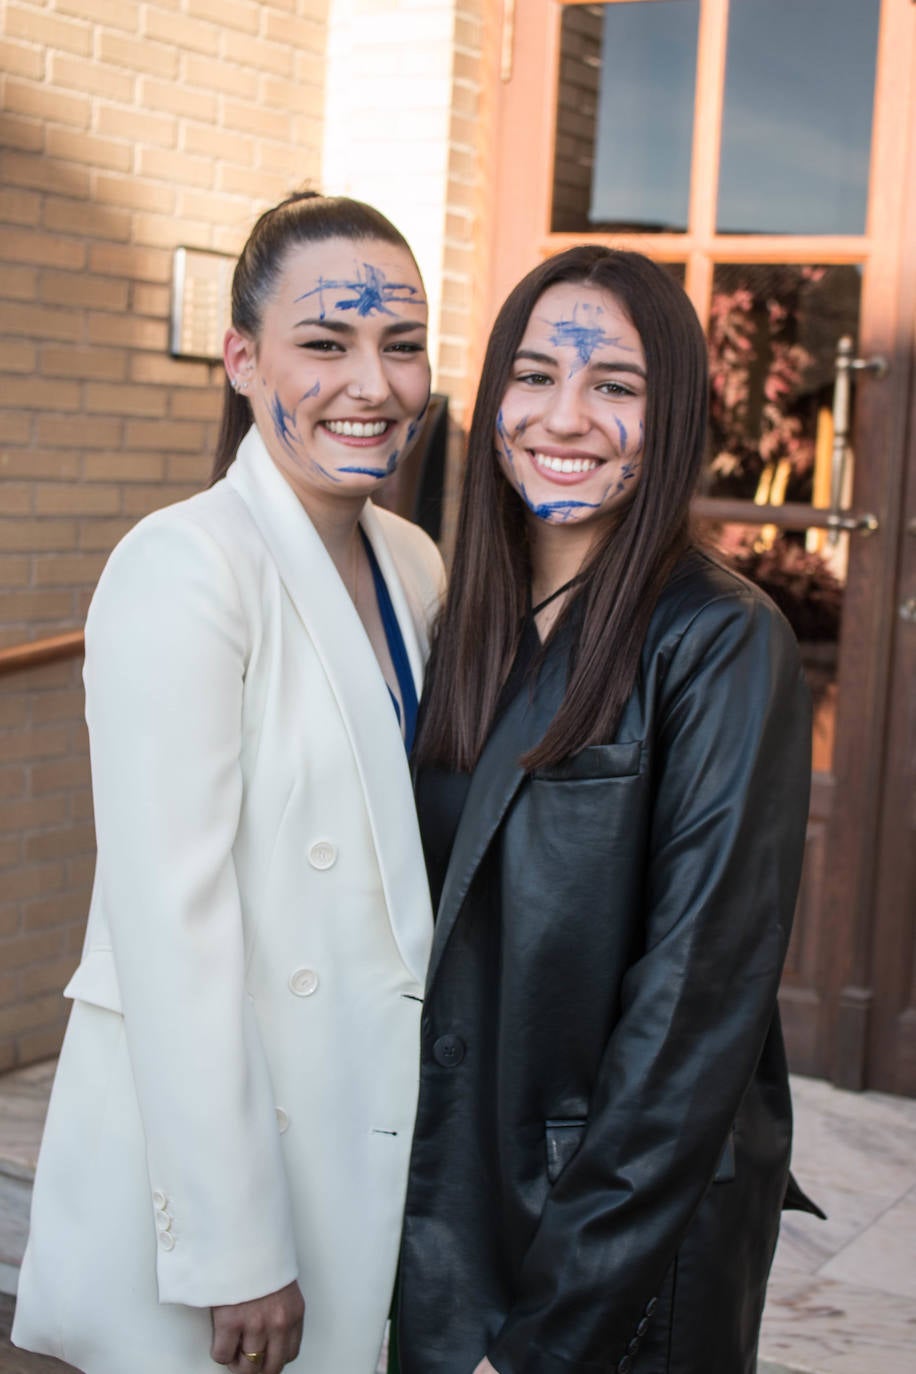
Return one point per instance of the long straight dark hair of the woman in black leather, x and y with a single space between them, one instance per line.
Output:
480 627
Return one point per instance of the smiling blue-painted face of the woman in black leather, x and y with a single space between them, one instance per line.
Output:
571 432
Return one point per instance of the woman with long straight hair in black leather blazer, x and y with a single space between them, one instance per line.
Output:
612 777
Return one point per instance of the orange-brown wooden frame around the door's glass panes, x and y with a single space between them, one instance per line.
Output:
524 166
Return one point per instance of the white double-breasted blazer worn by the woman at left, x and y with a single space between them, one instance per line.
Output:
236 1096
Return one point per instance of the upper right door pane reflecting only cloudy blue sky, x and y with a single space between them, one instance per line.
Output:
797 120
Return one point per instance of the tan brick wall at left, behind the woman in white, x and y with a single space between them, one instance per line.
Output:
126 130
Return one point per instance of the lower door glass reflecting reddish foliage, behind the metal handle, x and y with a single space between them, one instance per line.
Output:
772 343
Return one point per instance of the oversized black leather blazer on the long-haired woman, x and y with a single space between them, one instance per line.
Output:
604 1129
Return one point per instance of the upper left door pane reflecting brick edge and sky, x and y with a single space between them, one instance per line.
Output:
626 116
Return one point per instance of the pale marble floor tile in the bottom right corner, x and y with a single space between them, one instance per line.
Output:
834 1328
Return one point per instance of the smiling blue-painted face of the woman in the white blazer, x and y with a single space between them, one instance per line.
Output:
339 377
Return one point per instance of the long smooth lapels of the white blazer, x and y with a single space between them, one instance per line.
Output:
352 670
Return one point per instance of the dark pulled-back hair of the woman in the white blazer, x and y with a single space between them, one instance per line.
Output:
303 218
